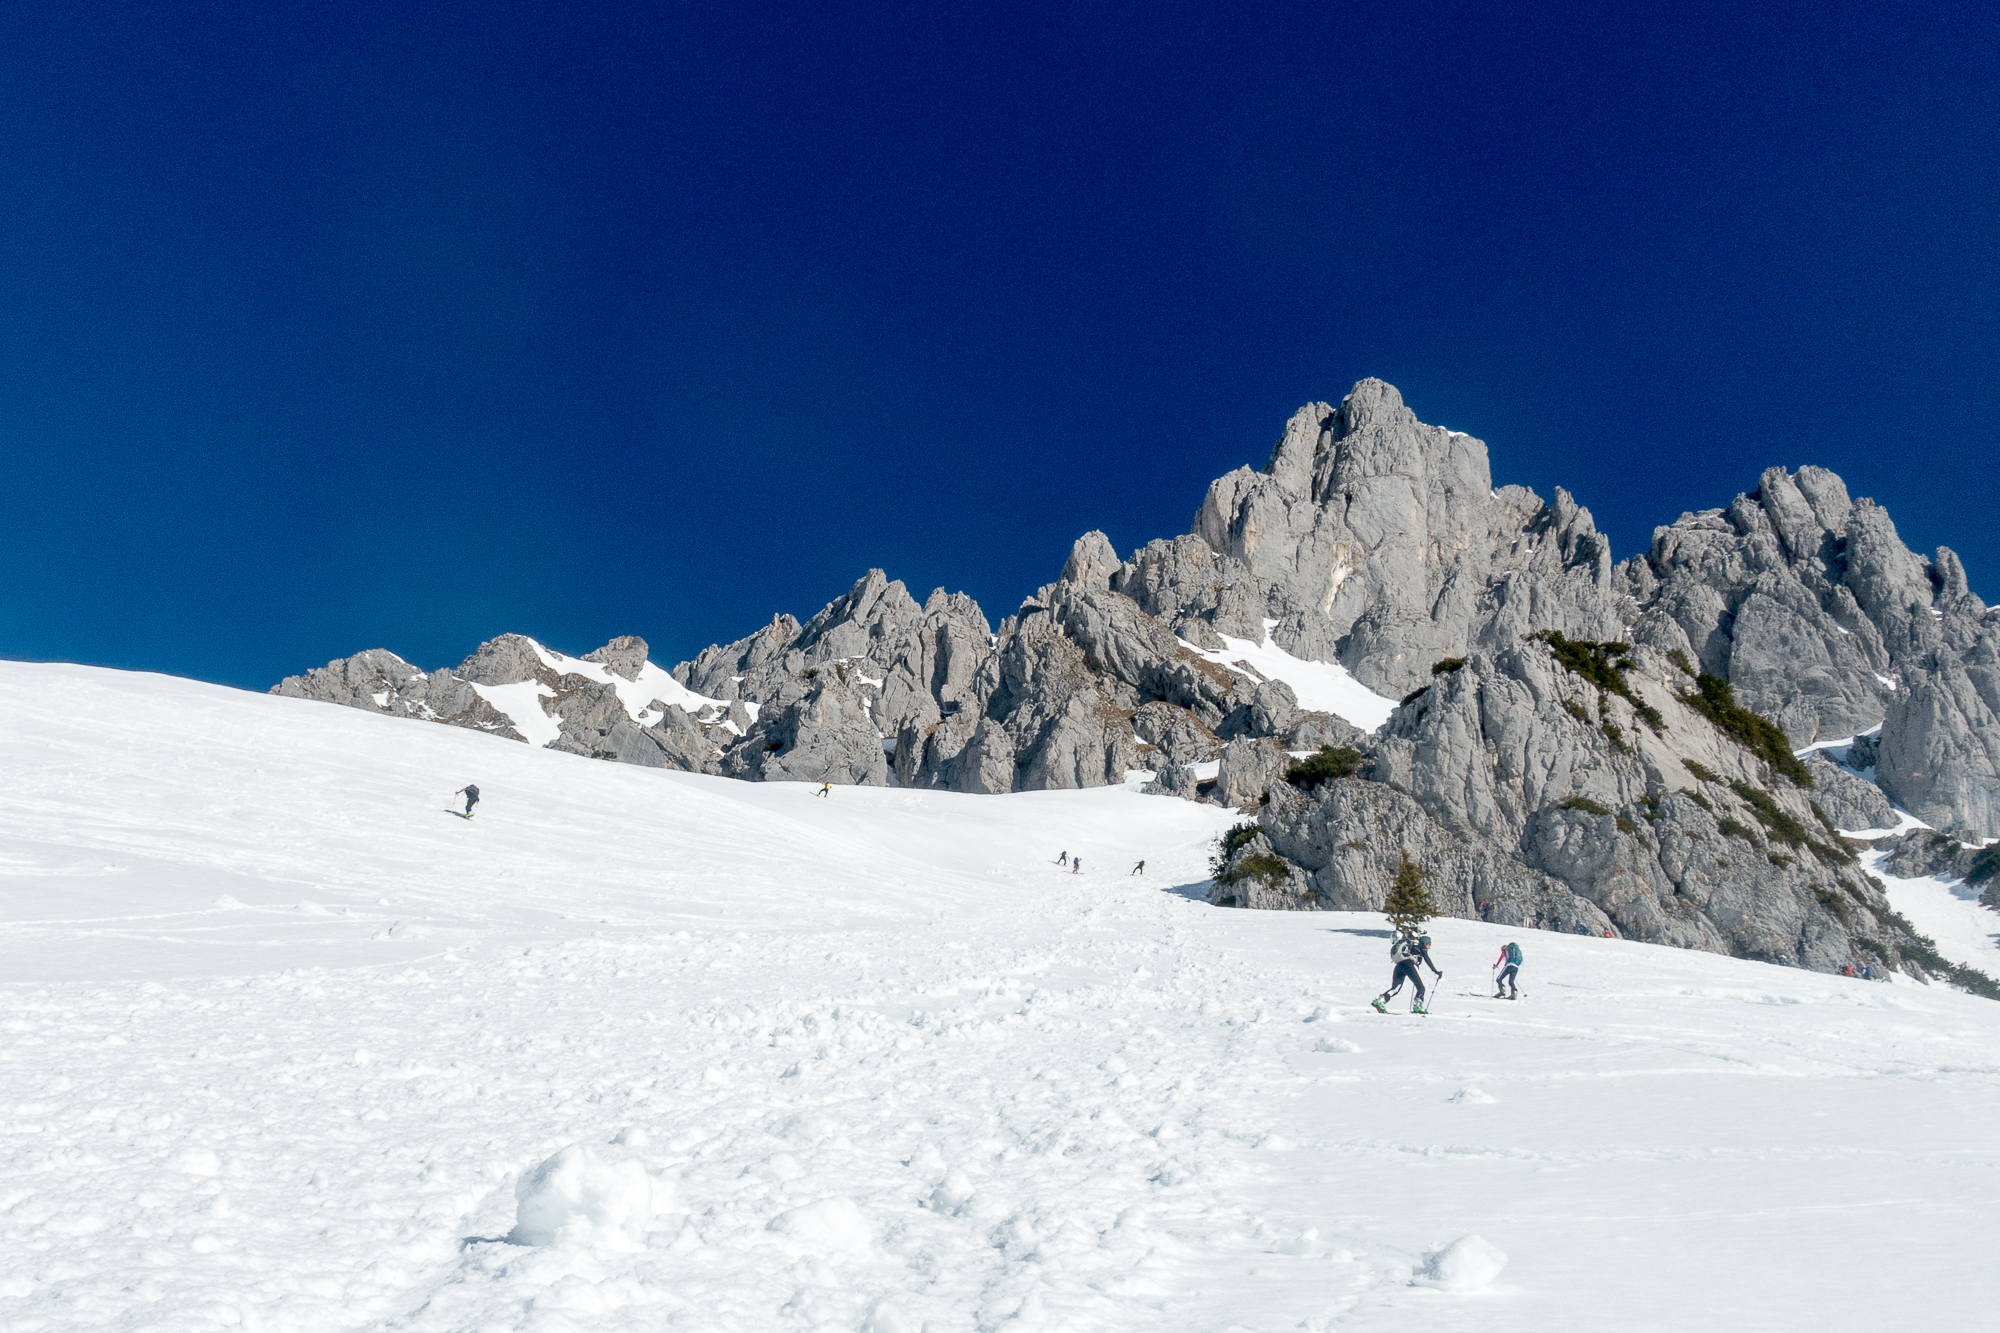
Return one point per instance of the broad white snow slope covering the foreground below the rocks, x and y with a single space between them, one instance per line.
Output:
291 1048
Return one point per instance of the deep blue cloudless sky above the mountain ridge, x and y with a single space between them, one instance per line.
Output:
331 327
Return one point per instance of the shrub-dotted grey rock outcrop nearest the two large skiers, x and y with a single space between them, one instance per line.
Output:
1531 792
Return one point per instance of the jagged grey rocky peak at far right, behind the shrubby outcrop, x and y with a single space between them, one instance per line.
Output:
1821 619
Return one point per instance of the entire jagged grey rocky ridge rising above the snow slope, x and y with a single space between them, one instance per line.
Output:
1375 551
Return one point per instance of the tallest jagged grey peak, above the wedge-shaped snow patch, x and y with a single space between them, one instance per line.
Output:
1381 543
